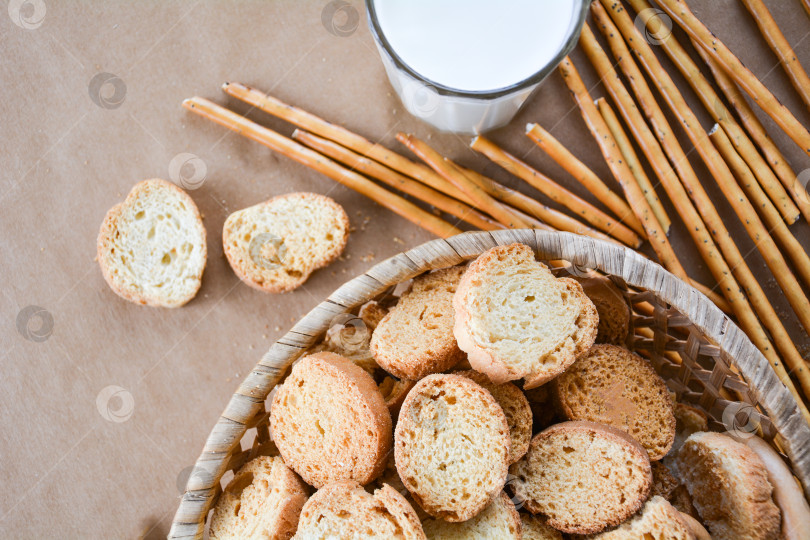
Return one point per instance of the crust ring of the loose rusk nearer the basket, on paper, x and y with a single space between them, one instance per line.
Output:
245 271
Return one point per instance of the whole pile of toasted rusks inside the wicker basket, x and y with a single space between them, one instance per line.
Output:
492 401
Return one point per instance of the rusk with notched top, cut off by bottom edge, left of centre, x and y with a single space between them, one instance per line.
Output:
345 511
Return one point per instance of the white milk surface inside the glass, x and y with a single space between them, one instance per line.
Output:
476 45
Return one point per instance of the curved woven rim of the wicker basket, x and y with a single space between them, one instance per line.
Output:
637 271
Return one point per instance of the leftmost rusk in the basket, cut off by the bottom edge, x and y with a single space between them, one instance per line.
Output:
263 500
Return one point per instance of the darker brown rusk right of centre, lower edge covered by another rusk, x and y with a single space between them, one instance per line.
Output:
614 386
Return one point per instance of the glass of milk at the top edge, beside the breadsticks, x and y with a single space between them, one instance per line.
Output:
467 66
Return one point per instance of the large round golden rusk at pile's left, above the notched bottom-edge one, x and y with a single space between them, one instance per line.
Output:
330 421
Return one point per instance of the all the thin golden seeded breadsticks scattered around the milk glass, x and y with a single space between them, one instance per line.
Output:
743 160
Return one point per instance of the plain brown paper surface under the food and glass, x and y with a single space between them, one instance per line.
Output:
68 472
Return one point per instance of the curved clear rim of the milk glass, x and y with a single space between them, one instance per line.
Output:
444 90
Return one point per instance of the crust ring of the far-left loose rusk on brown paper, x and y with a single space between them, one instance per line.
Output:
108 231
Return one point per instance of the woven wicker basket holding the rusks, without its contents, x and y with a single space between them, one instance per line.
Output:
703 356
